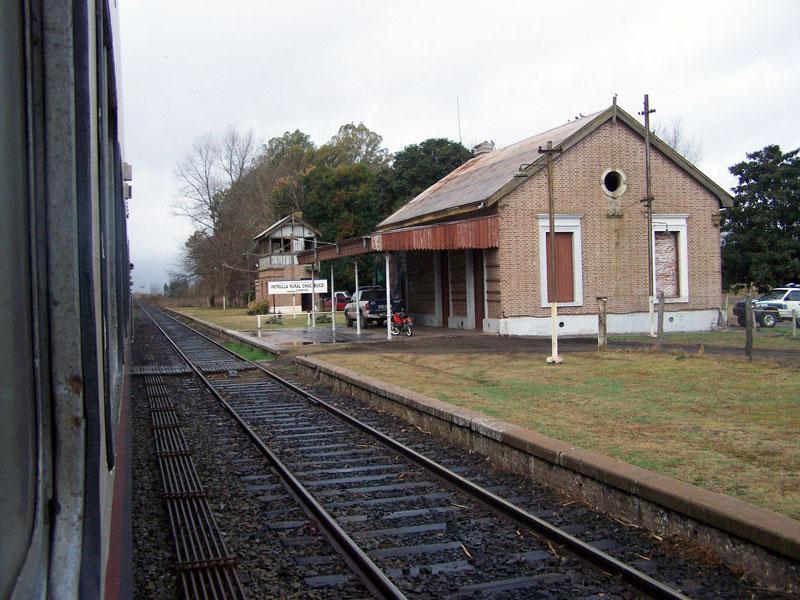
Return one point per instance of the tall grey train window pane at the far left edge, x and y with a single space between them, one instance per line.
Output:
17 397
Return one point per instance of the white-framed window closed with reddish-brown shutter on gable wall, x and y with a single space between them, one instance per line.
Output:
569 265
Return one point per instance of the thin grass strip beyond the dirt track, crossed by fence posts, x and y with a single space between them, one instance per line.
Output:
777 338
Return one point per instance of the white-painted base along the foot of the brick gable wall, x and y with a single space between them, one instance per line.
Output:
687 320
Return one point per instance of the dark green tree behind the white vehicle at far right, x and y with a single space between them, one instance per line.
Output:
761 233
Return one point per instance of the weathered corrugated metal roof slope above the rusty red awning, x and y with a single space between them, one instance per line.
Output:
480 177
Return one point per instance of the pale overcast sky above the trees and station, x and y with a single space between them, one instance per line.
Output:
729 70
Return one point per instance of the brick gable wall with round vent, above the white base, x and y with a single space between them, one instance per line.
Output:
614 249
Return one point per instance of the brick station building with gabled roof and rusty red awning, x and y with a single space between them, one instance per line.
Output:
472 250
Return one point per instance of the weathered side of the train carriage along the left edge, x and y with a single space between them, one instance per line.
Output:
65 297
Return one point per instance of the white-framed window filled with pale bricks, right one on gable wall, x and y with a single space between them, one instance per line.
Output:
671 257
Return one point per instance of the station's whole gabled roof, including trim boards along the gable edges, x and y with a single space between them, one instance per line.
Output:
484 179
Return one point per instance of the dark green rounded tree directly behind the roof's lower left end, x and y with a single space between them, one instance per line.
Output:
418 166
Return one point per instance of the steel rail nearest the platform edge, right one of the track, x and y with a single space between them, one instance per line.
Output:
639 580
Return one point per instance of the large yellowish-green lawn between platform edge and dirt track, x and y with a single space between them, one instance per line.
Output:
723 424
